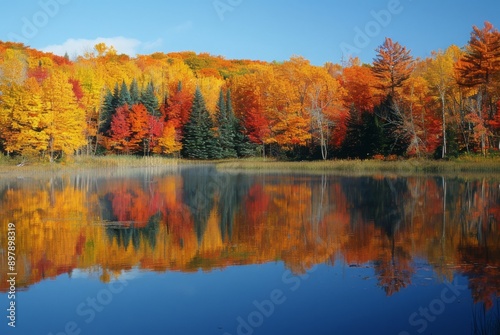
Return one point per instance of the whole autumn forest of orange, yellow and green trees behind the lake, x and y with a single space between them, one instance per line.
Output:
200 106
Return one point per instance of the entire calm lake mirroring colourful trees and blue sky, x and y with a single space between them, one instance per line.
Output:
193 250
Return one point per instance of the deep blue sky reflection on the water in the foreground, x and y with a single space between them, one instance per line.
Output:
252 299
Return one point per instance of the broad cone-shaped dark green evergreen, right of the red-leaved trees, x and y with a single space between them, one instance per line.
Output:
199 141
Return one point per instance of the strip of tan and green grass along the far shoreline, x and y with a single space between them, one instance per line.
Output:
464 164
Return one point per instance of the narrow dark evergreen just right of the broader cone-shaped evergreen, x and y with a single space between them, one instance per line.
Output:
226 127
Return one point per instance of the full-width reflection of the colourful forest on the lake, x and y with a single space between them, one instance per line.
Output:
204 219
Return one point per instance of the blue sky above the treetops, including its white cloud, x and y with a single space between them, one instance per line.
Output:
321 31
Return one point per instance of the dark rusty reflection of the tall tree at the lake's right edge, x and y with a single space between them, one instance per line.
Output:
475 209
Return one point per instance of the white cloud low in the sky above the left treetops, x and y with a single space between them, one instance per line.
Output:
123 45
